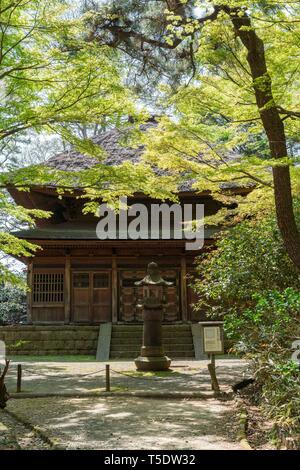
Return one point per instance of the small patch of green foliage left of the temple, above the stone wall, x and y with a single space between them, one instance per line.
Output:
12 303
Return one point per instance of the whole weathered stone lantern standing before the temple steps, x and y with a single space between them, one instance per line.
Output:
152 357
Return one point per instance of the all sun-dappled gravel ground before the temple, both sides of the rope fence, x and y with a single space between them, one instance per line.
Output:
123 423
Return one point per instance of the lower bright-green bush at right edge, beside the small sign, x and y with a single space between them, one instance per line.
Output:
266 333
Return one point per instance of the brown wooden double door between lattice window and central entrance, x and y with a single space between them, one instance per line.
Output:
91 297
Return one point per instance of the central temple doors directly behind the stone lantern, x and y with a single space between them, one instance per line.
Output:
129 294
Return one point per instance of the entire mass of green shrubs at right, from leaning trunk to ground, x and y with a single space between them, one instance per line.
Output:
250 283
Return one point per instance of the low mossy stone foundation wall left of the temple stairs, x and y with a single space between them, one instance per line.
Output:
50 340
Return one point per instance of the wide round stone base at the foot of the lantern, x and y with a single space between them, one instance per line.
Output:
152 358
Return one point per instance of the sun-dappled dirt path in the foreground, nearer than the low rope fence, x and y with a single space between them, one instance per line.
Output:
114 423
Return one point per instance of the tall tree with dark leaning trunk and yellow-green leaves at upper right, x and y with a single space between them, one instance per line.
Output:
243 59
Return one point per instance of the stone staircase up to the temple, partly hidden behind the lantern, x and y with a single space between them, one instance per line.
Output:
126 341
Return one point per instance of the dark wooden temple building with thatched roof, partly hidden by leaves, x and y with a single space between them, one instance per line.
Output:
75 278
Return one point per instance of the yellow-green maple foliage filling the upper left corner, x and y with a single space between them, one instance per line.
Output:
48 85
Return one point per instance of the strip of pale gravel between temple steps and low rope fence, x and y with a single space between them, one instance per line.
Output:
81 377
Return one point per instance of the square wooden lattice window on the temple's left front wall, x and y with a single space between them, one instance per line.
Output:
48 288
